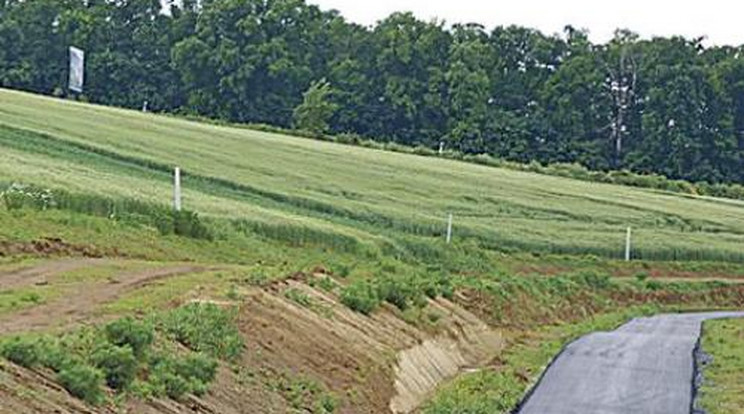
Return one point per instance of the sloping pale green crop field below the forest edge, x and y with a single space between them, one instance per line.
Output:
377 198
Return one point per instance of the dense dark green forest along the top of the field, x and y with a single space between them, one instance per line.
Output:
665 105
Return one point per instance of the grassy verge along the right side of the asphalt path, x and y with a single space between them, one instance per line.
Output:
722 391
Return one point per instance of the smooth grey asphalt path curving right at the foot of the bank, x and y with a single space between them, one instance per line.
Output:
646 366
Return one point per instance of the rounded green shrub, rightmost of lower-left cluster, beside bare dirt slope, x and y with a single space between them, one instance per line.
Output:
205 328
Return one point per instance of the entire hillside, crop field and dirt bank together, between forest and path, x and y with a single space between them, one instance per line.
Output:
317 258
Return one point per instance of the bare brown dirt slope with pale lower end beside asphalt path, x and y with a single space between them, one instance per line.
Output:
385 363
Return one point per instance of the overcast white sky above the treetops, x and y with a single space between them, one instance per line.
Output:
721 21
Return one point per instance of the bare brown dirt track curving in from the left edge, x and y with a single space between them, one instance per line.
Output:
78 304
